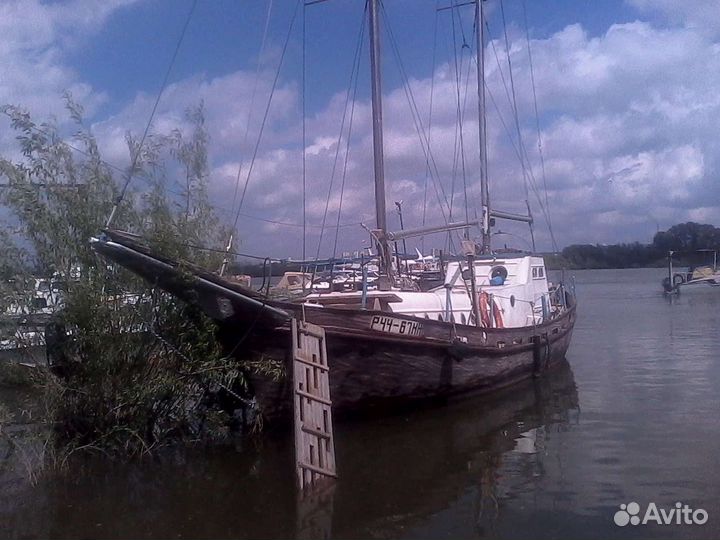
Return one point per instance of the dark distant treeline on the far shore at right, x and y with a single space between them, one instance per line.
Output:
685 239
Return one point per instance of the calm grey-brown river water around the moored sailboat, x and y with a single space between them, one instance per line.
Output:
634 416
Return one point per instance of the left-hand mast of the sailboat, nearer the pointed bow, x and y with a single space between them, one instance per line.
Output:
375 70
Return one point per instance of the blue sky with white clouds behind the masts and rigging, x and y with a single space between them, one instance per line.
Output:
625 90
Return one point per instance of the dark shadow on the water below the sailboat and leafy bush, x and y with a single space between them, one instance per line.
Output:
394 472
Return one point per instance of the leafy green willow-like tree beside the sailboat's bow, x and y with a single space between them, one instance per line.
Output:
139 369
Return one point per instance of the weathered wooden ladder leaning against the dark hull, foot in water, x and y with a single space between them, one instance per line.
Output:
314 443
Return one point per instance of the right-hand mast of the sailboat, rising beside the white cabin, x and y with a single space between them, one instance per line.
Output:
484 193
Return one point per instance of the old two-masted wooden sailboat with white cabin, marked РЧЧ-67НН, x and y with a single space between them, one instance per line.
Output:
493 322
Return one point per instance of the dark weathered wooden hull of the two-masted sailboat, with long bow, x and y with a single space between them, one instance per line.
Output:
378 359
